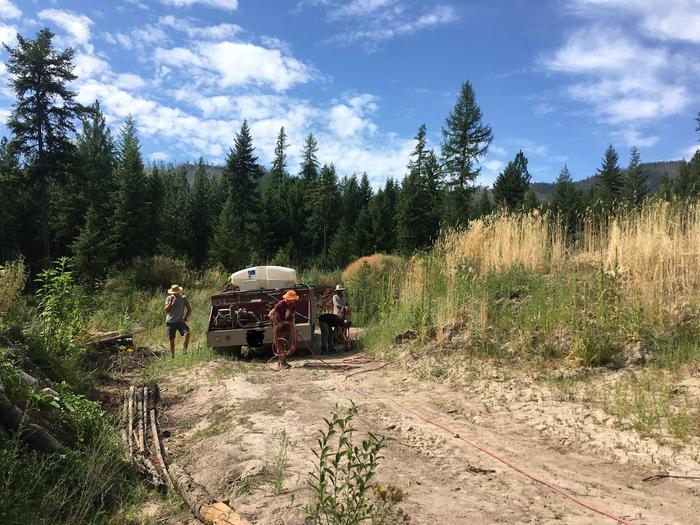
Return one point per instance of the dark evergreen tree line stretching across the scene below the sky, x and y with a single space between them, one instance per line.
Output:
87 194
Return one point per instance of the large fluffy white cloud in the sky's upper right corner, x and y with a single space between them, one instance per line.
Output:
629 82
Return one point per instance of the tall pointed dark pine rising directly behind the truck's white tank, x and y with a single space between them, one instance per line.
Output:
239 222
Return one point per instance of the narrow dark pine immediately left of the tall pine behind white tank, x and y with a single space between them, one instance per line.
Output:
200 216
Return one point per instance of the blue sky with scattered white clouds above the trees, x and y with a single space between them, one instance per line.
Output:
559 79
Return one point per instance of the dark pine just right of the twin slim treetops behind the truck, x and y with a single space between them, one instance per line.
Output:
324 219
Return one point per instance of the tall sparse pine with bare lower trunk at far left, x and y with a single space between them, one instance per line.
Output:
42 117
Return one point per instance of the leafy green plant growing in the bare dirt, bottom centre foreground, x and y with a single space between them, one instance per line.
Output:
342 479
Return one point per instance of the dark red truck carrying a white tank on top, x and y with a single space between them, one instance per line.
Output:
239 315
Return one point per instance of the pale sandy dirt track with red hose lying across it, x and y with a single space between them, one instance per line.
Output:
222 417
